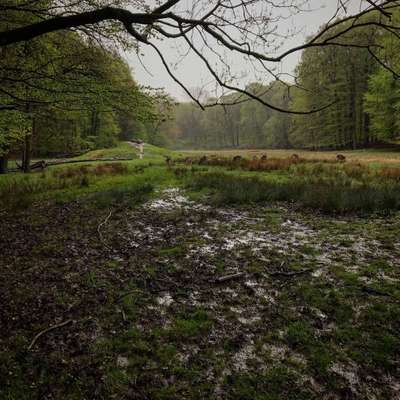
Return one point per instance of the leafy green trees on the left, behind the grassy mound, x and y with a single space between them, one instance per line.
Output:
61 93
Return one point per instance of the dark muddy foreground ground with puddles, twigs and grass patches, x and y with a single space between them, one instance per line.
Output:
177 299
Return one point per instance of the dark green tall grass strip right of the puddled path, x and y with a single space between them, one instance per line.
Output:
326 195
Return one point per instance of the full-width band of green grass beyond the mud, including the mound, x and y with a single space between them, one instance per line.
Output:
330 187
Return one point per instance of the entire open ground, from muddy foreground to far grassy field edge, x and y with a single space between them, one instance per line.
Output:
224 280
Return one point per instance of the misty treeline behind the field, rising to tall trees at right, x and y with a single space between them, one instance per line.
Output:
363 96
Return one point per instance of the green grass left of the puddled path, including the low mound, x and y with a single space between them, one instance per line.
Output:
99 182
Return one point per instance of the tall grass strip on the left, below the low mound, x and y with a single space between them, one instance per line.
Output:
112 183
